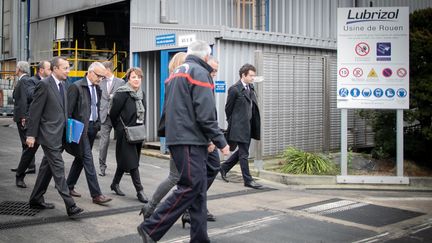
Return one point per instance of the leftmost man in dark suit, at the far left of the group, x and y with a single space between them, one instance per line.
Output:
21 106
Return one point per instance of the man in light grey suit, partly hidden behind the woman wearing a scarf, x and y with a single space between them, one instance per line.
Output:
108 85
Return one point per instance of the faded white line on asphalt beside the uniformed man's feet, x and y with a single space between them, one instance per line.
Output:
236 229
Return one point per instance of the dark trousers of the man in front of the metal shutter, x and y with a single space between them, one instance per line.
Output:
241 155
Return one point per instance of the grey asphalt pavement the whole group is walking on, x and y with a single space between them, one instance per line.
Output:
280 212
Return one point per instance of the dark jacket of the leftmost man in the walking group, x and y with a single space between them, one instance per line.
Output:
20 98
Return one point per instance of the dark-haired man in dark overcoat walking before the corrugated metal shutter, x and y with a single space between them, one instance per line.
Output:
243 123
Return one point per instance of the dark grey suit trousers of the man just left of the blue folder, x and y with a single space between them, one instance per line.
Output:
52 165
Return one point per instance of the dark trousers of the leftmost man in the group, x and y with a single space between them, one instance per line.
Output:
27 160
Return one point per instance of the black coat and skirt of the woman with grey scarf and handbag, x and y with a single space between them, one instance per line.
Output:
127 154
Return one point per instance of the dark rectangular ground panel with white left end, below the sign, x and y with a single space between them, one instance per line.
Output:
358 212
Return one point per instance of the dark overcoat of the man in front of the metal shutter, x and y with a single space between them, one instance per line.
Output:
243 120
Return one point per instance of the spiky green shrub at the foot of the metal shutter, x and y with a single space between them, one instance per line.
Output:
297 161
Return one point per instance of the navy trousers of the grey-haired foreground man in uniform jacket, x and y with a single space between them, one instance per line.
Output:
190 194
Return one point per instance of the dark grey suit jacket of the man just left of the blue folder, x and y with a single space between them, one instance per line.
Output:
47 115
